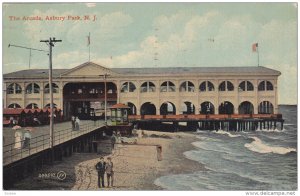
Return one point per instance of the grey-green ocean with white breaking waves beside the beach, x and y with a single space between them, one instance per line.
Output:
260 160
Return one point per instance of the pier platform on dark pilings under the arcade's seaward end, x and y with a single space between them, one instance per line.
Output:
226 122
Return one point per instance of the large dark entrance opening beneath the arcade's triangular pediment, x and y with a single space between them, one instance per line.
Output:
87 99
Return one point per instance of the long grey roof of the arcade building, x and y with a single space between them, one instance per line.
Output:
43 73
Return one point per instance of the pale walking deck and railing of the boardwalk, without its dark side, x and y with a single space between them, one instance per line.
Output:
40 138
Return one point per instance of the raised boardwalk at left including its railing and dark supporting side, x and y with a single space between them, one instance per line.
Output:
20 163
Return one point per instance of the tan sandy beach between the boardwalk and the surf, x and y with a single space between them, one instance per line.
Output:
136 166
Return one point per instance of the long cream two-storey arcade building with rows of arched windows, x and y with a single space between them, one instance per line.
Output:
178 90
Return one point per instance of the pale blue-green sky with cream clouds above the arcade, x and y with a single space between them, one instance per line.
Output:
156 35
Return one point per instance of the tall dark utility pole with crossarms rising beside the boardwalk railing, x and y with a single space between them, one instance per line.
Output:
51 42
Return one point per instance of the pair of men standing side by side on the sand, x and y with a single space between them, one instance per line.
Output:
103 167
